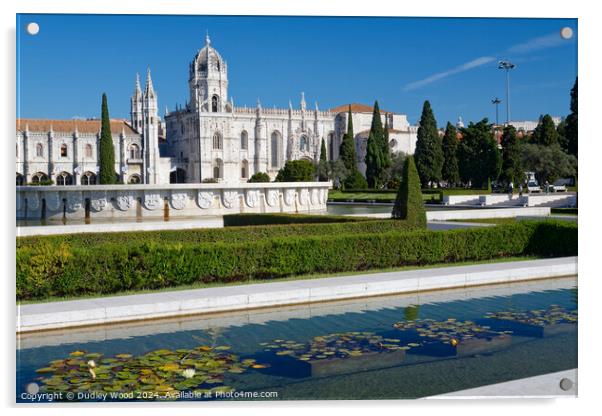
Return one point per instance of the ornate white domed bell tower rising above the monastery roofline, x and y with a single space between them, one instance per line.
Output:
208 80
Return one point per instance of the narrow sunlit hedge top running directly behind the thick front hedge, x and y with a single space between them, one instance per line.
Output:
212 235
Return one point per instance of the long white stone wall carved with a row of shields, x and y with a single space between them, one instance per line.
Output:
173 200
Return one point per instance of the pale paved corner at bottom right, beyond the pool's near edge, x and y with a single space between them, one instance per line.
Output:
544 386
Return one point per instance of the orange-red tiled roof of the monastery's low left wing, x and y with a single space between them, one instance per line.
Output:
69 126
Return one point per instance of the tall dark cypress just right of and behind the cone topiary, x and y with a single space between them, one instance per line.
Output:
429 153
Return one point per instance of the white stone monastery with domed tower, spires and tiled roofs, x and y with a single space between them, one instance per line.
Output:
208 138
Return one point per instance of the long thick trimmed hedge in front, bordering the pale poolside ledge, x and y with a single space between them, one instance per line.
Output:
61 270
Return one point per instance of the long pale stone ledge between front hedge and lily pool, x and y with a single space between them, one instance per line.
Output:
105 310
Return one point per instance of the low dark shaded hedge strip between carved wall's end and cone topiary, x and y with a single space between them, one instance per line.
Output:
234 220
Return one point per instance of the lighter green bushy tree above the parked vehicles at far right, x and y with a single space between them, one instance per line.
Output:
548 162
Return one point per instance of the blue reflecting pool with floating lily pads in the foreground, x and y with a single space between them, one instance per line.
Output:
394 347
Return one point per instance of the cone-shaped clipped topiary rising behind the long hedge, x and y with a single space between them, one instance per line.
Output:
408 204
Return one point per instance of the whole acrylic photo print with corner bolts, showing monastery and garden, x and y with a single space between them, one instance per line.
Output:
172 167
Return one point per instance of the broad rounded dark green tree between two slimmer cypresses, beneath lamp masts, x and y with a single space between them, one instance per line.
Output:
478 154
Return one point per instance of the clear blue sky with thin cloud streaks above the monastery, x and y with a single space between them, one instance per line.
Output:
64 69
